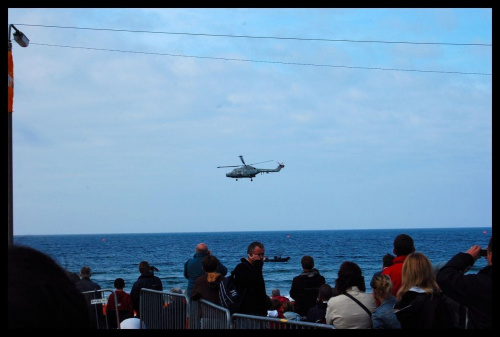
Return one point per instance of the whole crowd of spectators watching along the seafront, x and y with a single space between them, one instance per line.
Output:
407 293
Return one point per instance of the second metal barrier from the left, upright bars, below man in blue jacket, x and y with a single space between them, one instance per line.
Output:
163 310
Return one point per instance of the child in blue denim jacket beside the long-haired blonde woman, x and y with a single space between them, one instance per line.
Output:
384 317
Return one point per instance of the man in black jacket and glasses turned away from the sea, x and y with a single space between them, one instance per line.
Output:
250 282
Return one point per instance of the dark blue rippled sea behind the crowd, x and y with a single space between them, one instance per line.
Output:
118 255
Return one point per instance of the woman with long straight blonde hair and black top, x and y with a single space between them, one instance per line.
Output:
419 302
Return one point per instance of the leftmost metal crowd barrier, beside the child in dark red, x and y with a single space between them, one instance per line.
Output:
97 301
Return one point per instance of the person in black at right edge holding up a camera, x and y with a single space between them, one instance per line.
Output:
475 291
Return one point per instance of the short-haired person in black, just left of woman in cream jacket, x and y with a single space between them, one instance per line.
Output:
305 286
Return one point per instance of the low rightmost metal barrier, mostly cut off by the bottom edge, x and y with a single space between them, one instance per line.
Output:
241 321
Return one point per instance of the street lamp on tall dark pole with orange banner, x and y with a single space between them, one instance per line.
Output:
23 41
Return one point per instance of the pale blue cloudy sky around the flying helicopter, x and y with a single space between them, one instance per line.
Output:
122 132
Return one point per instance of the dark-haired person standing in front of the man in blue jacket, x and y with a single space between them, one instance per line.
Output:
207 285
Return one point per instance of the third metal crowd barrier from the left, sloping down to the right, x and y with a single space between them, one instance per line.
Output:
207 315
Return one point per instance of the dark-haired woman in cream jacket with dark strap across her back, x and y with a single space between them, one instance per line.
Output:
352 307
